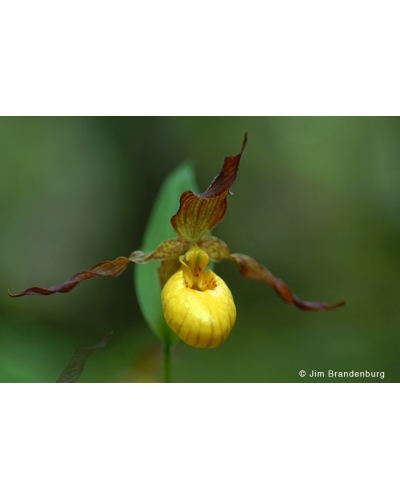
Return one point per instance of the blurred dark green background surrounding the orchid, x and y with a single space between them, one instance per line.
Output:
316 201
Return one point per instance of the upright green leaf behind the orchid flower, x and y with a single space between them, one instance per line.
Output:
159 229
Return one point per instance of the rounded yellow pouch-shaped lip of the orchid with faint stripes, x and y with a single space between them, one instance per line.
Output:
198 306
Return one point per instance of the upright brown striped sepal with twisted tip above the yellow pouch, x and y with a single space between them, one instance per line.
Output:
199 213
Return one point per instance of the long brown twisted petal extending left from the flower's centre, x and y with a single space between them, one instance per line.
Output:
167 250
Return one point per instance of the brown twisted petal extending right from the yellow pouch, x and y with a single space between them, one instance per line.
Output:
249 268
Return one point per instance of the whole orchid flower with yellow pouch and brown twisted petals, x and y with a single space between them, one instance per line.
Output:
198 305
